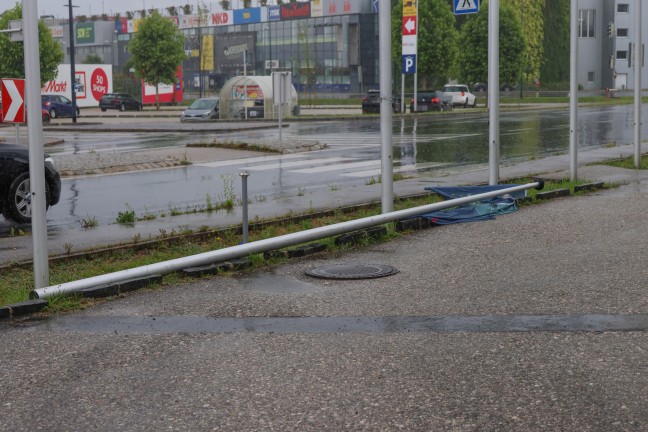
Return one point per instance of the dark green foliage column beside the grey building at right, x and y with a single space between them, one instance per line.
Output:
555 65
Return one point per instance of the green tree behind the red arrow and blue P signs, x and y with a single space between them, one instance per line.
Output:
436 37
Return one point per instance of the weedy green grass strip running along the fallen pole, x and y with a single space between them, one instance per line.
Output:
16 282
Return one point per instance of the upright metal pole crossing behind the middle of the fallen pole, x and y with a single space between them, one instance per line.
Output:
387 166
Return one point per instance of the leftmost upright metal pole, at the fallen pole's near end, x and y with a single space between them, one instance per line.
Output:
36 152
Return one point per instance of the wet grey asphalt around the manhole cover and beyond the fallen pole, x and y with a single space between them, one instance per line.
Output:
534 321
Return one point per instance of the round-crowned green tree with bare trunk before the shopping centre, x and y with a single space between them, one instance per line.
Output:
157 50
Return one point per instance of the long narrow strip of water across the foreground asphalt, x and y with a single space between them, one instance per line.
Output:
344 324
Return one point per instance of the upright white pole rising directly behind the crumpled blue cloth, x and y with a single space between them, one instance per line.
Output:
493 91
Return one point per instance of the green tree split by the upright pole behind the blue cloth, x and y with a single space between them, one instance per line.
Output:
472 61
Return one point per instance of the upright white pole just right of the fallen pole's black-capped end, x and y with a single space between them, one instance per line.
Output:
573 92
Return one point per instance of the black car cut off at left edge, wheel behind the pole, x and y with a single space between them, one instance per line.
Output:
15 195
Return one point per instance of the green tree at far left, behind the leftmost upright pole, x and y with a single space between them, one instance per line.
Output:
12 61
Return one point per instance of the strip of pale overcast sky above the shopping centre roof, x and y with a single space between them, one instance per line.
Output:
97 7
